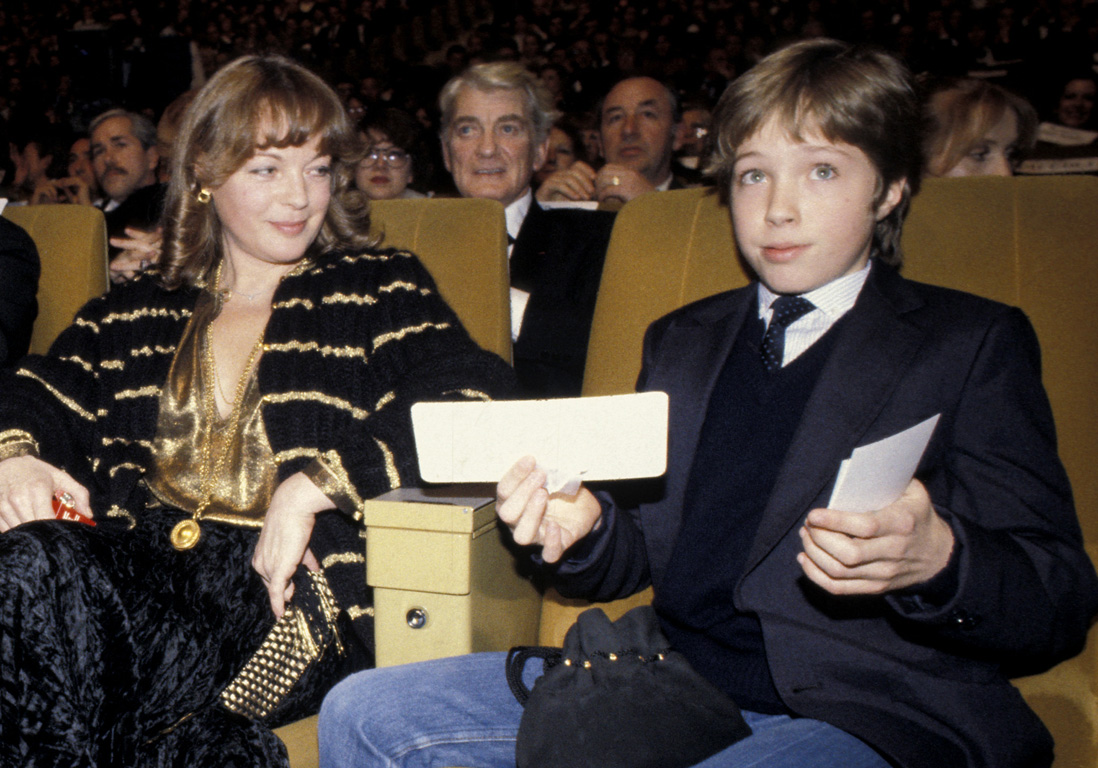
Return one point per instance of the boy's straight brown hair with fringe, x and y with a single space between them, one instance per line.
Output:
850 94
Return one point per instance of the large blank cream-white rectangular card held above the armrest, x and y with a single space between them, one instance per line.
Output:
593 439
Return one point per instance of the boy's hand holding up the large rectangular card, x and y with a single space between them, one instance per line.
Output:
556 522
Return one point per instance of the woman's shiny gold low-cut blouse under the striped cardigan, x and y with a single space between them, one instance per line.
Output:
243 491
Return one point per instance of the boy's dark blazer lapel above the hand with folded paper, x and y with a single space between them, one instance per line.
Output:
869 360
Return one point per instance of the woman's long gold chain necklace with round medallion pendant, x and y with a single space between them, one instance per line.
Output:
187 532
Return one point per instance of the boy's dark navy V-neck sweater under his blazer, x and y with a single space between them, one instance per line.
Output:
749 427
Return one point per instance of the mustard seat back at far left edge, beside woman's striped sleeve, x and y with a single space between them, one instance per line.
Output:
72 243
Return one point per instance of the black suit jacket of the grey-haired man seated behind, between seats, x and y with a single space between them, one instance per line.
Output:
558 260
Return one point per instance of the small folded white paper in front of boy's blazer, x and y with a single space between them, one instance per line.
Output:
877 475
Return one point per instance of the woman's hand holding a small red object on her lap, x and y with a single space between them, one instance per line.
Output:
27 491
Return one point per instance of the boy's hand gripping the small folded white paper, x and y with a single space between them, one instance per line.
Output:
853 553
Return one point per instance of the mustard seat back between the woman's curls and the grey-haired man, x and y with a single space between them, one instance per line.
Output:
464 244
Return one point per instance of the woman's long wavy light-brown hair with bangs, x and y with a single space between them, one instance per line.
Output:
252 104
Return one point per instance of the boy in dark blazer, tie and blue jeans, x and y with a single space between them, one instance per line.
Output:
848 640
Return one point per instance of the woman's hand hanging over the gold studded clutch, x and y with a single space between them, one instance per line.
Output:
284 542
